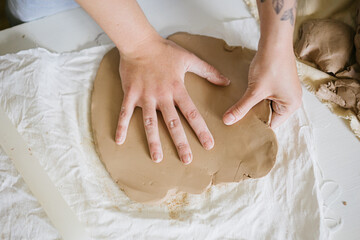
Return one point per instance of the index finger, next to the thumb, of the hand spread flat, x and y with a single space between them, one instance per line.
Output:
195 119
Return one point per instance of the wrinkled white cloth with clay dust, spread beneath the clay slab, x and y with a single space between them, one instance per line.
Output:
47 97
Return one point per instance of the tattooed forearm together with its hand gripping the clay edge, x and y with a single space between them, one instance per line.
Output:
272 73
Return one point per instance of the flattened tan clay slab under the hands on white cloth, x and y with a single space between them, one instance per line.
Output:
245 150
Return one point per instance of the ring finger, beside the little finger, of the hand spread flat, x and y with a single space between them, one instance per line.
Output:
152 131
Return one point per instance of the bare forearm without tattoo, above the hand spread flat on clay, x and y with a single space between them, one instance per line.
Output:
122 20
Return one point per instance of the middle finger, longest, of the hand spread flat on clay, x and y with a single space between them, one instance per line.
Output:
177 132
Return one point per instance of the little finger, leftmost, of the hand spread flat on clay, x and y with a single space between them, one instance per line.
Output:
125 114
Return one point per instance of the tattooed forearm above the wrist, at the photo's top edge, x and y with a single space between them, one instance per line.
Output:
277 19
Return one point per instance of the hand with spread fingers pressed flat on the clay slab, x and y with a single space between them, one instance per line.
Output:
153 79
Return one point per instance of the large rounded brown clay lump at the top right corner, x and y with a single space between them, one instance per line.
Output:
326 43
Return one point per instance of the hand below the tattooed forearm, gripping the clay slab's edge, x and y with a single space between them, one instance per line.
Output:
273 76
